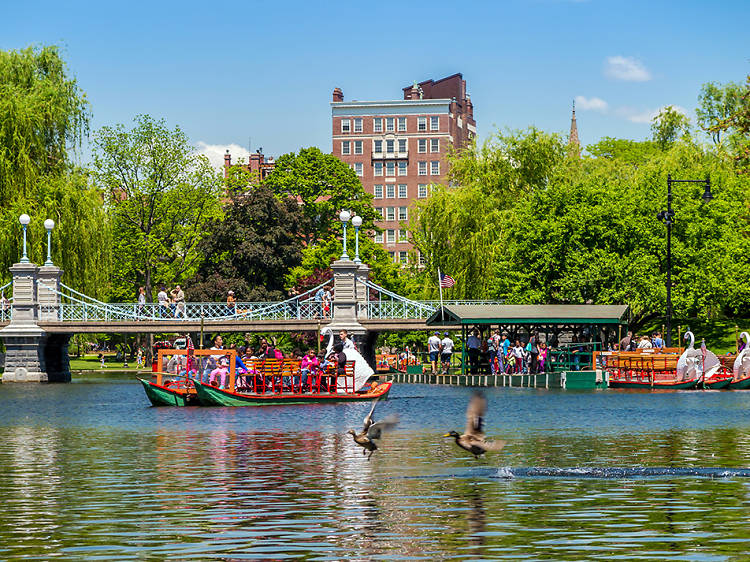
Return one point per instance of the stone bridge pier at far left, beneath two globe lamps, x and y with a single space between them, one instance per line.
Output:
33 355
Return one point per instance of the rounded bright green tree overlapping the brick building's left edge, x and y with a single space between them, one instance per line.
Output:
324 185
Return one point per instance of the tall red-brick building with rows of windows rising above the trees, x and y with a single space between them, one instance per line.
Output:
398 147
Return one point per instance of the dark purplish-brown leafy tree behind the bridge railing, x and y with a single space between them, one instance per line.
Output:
251 250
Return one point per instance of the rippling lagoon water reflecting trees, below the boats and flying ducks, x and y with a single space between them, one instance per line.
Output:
90 470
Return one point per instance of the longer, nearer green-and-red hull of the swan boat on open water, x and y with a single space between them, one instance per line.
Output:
212 396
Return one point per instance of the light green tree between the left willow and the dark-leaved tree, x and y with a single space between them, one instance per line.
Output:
162 198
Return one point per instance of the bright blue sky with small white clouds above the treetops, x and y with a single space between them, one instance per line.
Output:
258 74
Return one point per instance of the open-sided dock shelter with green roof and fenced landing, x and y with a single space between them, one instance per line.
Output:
596 324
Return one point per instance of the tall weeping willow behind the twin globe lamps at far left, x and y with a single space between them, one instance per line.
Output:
44 116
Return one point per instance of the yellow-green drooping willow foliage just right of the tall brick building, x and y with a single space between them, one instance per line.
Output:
458 229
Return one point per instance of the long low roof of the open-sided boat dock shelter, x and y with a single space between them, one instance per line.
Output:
529 314
